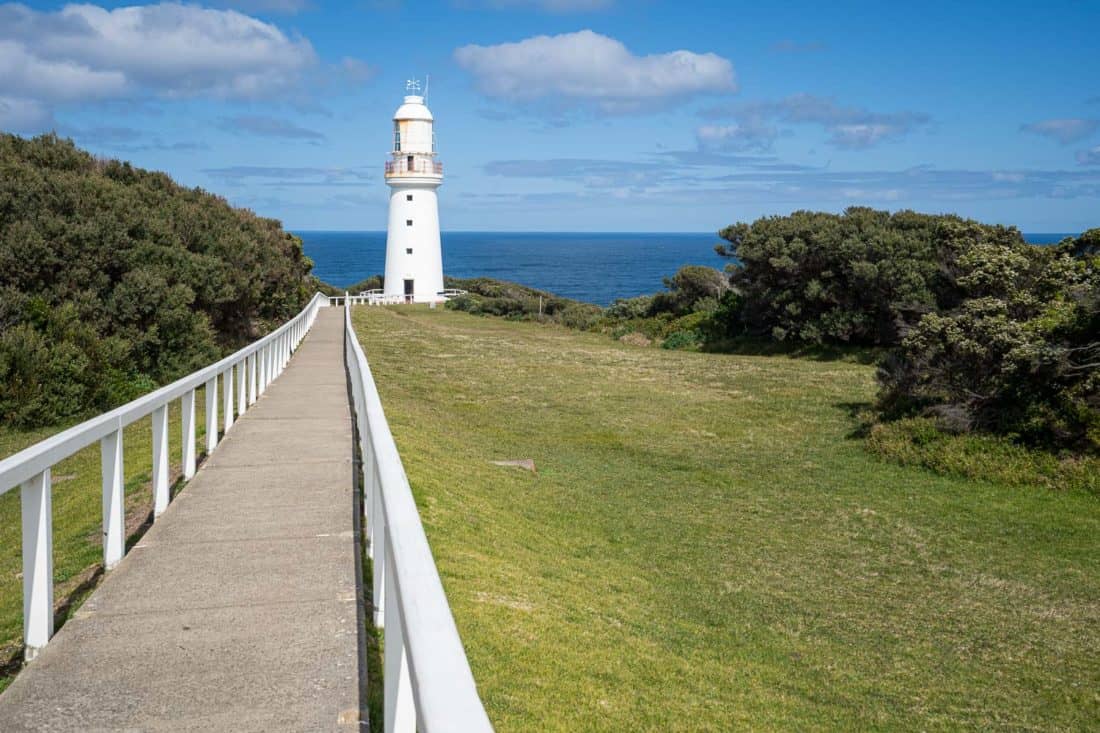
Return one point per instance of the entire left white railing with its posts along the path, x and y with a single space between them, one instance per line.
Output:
251 369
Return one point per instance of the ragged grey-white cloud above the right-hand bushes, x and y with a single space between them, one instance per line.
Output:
853 128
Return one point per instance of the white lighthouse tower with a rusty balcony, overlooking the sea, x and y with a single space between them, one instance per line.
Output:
414 255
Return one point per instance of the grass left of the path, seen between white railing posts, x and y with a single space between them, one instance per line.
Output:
78 504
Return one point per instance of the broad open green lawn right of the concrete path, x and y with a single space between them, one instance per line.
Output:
705 548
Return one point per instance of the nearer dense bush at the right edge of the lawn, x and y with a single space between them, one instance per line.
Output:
1020 355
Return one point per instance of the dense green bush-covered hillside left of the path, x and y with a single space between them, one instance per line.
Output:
114 279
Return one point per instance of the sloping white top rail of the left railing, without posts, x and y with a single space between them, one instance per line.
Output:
37 458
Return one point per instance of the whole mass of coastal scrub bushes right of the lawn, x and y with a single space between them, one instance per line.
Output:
984 332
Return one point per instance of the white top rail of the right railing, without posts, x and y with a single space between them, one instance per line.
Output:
444 686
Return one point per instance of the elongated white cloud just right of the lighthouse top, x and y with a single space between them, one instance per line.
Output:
590 70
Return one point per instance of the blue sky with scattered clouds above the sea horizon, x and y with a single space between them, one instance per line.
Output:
582 115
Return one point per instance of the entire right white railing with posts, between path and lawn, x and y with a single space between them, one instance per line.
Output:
427 680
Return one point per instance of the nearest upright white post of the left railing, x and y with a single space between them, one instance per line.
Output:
38 564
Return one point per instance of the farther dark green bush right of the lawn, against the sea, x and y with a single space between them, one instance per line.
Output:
862 278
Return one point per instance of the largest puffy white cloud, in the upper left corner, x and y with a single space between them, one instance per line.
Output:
83 53
